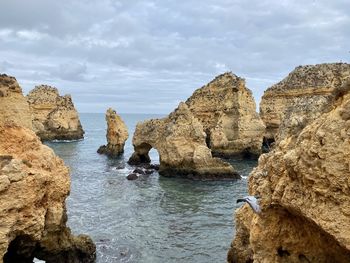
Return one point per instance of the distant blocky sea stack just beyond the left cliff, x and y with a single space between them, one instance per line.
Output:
54 116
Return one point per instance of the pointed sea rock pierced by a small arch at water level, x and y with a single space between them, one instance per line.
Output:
180 142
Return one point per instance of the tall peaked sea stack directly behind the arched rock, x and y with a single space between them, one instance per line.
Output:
226 109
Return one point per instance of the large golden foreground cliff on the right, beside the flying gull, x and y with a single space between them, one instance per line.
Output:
304 185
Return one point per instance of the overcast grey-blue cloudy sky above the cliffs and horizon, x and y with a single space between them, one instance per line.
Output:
146 56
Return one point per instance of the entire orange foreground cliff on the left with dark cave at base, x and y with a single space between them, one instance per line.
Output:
34 184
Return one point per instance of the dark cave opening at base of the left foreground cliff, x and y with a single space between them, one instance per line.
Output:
20 250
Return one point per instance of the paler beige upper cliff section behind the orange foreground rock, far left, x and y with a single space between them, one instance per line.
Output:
14 109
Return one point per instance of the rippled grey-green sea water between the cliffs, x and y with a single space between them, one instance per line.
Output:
153 219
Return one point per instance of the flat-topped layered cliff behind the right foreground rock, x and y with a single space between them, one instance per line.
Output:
288 106
